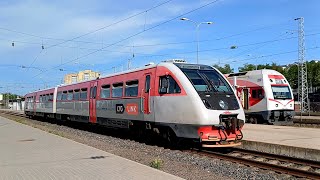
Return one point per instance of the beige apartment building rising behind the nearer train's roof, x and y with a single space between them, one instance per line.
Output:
80 76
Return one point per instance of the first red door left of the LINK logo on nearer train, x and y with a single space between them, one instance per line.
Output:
92 102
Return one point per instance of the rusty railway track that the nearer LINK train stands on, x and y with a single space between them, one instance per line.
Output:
278 163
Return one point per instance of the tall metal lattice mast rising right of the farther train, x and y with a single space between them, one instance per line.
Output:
303 80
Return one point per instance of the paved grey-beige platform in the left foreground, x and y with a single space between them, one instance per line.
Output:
29 153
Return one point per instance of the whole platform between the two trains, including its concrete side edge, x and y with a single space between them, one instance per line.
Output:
285 140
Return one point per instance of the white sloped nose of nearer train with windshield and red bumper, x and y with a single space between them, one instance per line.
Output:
220 117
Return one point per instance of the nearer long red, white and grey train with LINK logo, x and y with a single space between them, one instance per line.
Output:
174 99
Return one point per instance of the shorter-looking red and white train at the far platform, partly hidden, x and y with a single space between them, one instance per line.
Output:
265 95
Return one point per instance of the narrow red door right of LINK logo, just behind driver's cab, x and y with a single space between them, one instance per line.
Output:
147 101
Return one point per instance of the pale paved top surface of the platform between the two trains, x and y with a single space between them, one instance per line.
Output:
283 135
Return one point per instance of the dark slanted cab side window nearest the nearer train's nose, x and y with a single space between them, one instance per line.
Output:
168 85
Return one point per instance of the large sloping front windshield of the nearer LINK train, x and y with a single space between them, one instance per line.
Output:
207 80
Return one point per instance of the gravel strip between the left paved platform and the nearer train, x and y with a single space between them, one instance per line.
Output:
182 164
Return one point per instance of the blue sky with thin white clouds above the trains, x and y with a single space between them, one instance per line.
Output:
41 41
